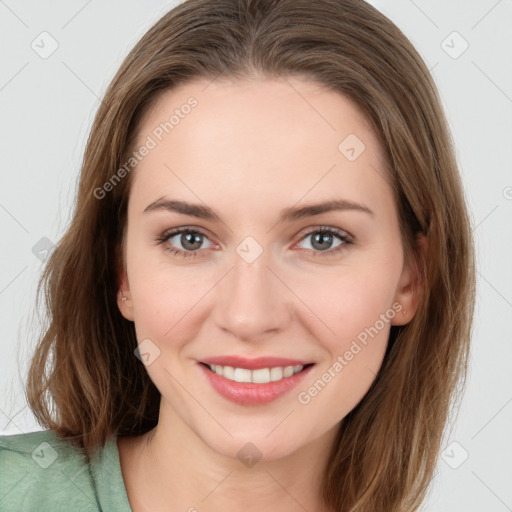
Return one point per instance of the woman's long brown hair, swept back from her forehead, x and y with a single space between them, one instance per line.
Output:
387 447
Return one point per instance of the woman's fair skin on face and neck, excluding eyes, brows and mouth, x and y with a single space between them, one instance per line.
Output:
248 150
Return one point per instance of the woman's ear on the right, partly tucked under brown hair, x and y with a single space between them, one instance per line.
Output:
409 288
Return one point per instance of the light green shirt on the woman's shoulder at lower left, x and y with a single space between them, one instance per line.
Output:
41 472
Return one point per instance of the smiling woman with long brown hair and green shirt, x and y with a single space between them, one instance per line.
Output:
296 346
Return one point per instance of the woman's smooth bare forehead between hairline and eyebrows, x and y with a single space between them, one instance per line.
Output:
278 139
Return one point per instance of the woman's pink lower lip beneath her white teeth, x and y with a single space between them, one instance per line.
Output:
249 393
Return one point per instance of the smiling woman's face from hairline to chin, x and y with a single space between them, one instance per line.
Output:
252 270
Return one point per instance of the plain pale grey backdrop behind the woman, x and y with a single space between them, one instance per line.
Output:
47 104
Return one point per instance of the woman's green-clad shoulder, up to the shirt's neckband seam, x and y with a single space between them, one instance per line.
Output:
40 471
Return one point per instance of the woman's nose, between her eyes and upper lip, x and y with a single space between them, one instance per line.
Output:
252 302
